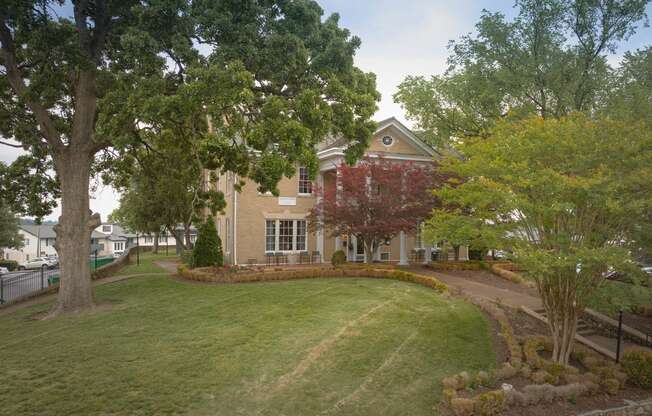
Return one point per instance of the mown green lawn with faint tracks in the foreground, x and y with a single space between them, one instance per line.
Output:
326 346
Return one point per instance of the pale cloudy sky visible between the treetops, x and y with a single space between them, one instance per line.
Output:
399 38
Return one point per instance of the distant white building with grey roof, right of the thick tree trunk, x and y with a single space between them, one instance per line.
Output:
112 239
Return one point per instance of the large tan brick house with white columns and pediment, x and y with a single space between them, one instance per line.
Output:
255 226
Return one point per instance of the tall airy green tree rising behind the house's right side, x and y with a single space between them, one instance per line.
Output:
549 60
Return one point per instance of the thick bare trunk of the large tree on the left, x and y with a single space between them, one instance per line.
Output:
73 242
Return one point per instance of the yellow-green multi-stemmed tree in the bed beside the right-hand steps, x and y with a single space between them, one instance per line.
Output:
564 195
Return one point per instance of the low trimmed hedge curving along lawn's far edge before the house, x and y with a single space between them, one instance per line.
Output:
250 276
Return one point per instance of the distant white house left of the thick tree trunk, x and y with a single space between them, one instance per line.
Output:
38 242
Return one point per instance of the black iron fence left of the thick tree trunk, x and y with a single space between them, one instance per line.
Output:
16 285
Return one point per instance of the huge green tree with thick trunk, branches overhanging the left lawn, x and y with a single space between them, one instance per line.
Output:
277 78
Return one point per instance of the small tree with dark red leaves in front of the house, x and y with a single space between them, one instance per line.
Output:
375 200
